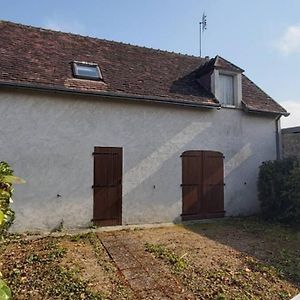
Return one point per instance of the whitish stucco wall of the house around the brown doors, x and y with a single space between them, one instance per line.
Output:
49 141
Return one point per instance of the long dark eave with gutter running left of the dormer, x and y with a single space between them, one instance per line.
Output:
120 96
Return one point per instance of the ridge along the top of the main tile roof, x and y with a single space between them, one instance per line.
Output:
102 39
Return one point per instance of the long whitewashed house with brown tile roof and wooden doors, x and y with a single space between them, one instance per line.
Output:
121 134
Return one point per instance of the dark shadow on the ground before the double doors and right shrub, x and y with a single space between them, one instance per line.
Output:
257 239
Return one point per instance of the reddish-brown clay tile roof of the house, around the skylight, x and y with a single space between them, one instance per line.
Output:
41 57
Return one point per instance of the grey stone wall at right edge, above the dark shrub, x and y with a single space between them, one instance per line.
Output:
291 142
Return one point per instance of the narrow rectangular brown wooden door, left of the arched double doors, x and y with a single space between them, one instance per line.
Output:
107 186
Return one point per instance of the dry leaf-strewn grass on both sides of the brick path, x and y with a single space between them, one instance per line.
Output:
229 259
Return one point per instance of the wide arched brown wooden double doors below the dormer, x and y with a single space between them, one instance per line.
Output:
202 185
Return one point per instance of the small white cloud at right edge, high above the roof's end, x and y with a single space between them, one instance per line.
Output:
289 42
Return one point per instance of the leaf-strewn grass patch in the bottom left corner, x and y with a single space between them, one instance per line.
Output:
37 273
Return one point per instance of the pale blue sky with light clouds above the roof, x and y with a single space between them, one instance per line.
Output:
261 36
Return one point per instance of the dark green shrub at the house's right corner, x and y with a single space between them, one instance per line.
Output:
279 190
